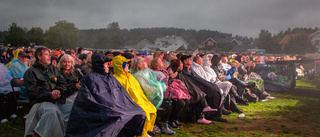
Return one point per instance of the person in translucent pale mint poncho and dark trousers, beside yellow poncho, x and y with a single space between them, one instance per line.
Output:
153 85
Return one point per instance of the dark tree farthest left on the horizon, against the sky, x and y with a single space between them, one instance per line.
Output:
16 36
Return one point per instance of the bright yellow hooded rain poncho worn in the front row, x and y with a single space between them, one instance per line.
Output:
135 91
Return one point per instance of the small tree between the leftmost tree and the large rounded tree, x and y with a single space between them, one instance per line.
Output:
36 35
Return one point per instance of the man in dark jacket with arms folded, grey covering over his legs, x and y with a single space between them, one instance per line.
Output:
44 86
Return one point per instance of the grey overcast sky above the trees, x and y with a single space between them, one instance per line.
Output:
239 17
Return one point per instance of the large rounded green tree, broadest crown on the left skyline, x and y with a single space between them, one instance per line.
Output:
62 35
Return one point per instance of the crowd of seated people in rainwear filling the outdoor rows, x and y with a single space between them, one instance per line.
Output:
115 93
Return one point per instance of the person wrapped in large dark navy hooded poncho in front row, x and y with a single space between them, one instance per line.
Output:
103 107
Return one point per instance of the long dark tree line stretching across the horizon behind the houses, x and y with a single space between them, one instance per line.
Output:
66 35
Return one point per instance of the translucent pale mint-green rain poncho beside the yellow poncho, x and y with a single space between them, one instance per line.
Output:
152 85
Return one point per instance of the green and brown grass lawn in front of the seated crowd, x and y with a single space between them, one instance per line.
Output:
294 114
